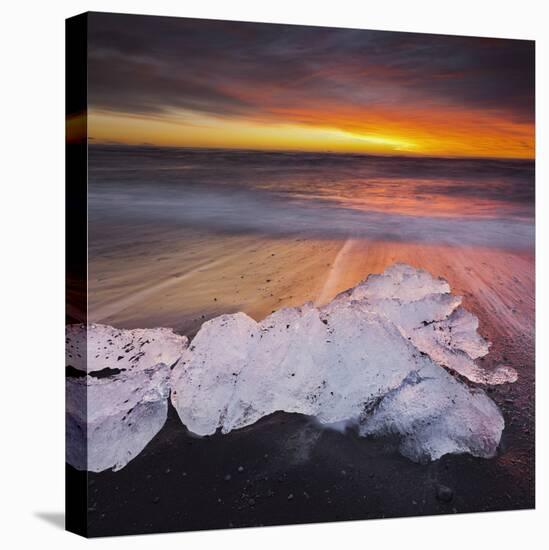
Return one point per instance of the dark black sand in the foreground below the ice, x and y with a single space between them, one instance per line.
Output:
287 469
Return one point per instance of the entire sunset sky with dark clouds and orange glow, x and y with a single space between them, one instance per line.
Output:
196 83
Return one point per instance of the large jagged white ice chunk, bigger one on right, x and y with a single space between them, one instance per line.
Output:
370 357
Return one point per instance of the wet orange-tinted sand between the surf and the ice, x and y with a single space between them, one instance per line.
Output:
179 281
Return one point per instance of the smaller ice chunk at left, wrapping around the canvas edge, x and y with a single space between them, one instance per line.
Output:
118 407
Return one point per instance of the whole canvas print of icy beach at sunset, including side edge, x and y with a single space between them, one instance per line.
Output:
300 274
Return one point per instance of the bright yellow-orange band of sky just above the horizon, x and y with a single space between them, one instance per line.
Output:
441 134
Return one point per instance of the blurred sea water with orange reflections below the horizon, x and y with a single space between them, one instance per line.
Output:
478 202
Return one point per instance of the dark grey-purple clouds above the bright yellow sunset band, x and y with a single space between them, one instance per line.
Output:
152 65
